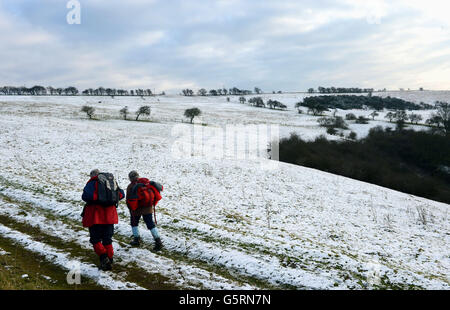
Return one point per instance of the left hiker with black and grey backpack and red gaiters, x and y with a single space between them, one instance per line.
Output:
102 196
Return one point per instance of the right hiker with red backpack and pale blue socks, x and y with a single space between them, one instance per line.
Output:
142 197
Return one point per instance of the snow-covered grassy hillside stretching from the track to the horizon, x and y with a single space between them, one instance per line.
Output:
227 222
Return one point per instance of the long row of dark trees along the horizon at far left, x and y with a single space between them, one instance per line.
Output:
71 91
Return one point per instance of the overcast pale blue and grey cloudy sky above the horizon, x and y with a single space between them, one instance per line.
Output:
283 45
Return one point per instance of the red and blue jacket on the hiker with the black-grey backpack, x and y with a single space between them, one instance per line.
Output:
94 214
